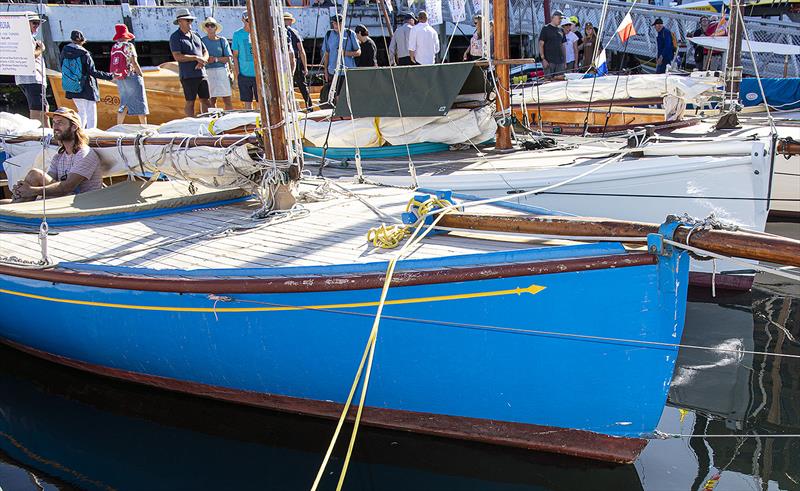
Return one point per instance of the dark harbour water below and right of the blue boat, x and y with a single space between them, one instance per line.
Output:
62 429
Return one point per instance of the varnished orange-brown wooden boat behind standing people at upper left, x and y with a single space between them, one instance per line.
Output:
164 96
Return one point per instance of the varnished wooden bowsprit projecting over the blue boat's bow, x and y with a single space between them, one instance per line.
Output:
747 245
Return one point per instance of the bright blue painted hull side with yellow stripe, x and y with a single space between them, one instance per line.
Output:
461 349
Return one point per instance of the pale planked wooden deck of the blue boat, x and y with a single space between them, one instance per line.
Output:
332 232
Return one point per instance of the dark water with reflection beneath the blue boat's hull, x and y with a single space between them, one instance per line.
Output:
96 433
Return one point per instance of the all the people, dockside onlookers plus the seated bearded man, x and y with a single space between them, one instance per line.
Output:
209 66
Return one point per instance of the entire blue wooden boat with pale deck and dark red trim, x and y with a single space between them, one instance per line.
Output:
529 343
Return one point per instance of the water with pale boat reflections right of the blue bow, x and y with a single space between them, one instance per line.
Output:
745 395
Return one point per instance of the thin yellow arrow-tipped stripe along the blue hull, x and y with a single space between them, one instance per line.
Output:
533 290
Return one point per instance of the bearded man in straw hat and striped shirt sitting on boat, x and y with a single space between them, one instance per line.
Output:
74 169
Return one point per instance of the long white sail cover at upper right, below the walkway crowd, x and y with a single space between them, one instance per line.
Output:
692 89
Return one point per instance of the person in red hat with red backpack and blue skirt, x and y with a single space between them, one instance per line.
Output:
128 75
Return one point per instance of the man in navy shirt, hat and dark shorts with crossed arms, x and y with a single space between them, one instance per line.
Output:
191 54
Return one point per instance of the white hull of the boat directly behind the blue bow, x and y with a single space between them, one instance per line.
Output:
645 189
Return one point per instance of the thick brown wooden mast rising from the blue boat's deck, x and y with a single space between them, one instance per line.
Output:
270 102
